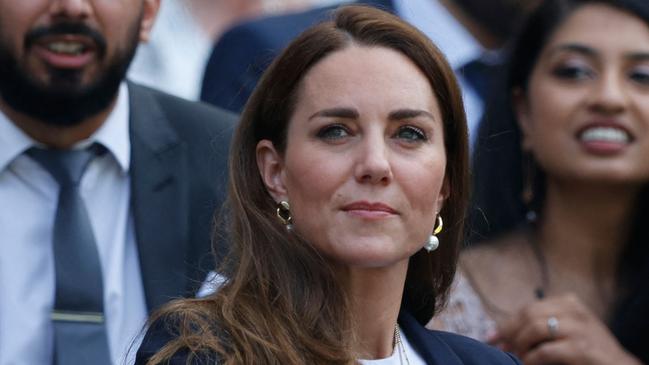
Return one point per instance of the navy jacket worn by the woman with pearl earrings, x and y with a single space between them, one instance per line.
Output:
435 347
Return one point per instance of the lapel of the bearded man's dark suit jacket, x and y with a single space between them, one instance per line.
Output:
159 198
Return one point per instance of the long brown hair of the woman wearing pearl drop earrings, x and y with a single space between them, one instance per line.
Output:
281 303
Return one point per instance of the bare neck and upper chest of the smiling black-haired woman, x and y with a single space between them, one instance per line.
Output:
582 233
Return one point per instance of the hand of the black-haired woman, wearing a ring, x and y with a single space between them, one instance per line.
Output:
561 330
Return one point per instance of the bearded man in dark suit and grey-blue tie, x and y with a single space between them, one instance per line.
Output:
107 188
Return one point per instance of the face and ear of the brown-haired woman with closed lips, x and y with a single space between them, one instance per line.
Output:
364 164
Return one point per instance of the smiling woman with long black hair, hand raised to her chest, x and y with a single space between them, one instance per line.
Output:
562 178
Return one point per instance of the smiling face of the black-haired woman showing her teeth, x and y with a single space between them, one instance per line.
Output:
586 113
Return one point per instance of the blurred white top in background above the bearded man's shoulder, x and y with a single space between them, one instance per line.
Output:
174 58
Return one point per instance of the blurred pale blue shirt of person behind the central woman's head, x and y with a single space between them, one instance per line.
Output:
450 36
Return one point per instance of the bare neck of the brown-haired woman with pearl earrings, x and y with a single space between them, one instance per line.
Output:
375 302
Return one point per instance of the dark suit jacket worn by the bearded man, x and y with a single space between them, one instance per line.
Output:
179 152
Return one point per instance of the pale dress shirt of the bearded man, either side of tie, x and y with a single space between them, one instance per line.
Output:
29 199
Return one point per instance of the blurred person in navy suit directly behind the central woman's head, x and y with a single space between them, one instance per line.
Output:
465 30
